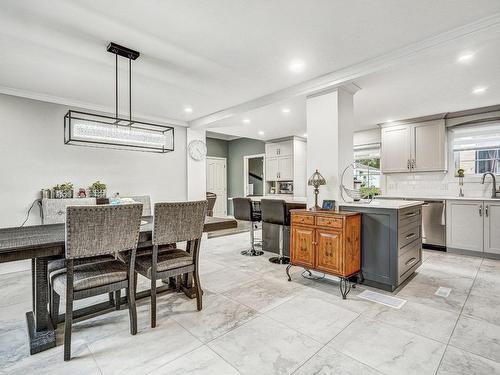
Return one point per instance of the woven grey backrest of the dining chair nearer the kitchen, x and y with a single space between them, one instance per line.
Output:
179 221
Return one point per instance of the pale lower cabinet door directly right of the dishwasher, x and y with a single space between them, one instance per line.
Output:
464 225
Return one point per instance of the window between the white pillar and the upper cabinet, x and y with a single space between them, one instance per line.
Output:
367 171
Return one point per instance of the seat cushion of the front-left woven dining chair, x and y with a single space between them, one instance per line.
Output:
92 275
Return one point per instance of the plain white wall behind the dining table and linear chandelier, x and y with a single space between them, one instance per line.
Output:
33 156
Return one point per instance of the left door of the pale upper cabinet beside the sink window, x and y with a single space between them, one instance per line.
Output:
395 150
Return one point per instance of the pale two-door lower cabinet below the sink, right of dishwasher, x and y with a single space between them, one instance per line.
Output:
473 226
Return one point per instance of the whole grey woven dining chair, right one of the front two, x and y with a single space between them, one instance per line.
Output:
172 223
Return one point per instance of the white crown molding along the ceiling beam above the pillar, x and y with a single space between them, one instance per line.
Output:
346 75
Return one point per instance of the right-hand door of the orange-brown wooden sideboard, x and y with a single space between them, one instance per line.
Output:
329 246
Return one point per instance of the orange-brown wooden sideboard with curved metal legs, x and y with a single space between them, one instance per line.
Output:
326 241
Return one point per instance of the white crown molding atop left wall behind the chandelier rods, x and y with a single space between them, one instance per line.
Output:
83 105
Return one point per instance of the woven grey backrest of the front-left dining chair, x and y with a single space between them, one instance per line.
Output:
103 229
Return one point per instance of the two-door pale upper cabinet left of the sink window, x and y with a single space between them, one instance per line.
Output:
419 147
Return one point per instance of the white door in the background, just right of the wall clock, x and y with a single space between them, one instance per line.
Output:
217 183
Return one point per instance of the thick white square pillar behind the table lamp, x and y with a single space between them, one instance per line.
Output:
330 122
